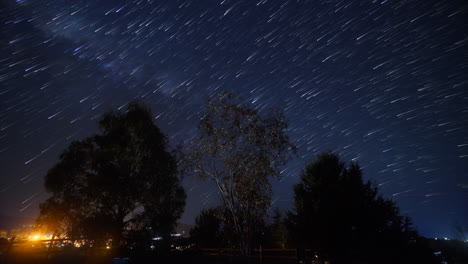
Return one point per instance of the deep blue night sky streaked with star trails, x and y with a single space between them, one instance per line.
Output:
383 82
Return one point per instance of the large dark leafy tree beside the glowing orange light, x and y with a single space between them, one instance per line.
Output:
113 181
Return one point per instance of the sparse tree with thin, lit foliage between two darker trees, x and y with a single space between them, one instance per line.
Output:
239 148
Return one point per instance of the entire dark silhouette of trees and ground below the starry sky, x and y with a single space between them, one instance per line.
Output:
116 197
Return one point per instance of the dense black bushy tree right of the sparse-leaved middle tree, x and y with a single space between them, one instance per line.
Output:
343 218
